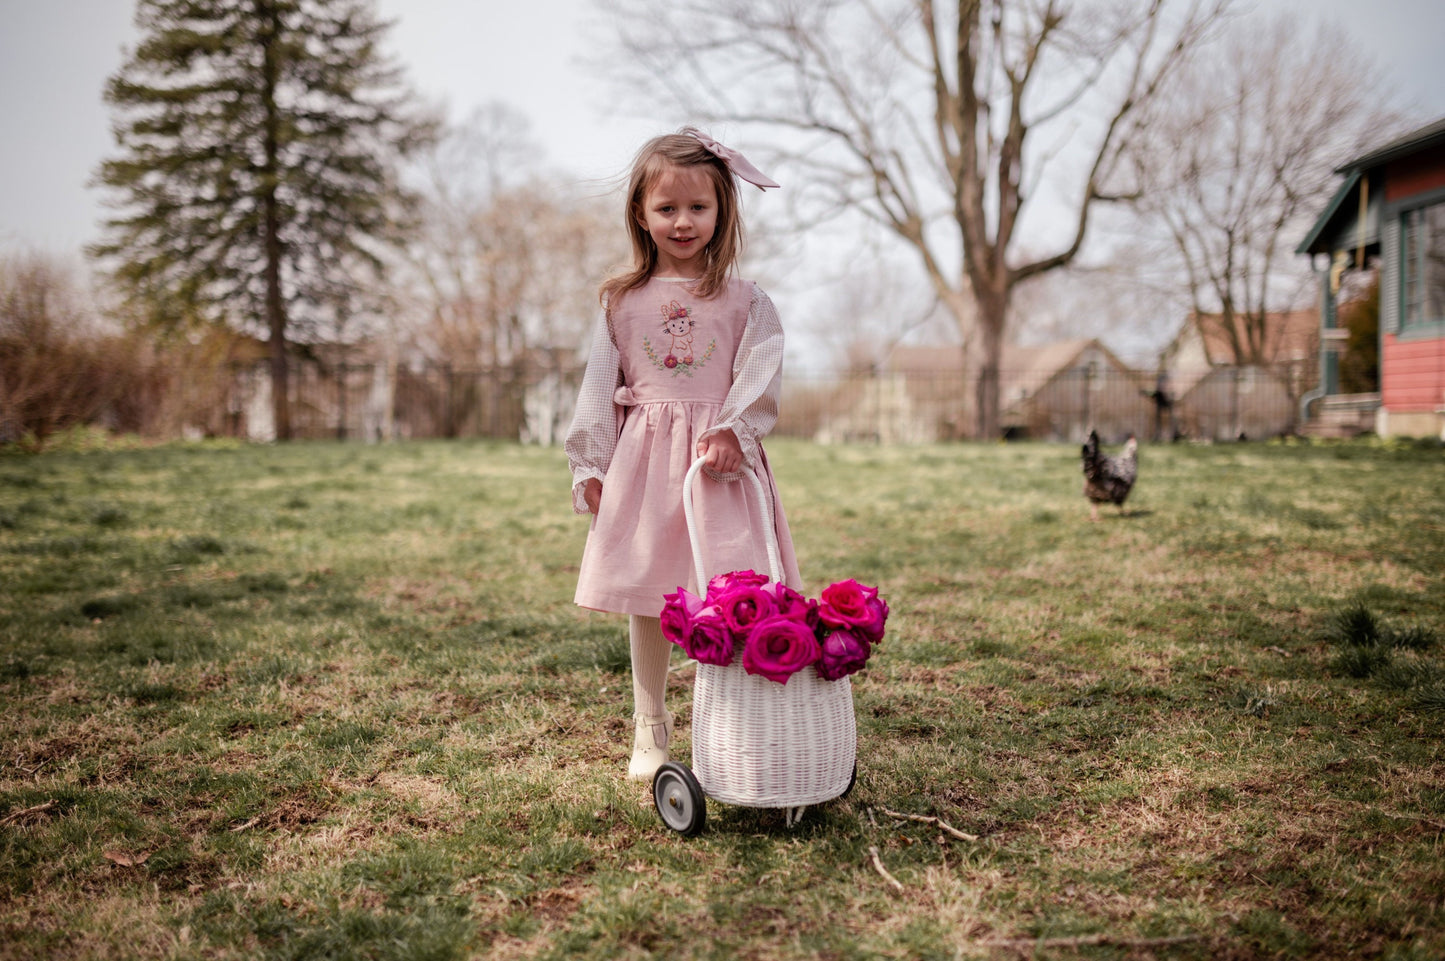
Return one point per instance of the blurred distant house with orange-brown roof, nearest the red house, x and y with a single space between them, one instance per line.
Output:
1236 379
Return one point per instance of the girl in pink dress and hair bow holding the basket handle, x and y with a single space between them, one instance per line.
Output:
686 363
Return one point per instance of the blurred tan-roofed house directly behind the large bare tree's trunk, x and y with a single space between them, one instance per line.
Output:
1051 392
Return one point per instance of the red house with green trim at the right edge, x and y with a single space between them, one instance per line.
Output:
1389 210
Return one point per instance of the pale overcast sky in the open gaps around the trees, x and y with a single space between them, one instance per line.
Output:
57 54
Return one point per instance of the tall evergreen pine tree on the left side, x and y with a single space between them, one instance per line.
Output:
258 174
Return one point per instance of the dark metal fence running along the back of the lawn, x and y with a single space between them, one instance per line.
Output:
534 404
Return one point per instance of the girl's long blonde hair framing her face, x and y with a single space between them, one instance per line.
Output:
720 257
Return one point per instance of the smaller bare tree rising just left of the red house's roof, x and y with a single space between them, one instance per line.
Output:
1241 151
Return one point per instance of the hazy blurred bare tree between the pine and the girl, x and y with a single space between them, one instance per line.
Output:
504 277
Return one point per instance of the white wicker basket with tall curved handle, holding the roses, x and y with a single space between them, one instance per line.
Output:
759 744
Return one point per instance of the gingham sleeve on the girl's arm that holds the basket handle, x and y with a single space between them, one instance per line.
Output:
751 410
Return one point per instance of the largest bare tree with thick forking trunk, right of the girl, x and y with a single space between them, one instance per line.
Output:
940 122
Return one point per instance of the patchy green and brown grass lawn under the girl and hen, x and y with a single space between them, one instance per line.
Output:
326 702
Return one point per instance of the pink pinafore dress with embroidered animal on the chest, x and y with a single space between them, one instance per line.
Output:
678 361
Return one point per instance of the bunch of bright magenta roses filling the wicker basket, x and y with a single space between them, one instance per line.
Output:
780 631
